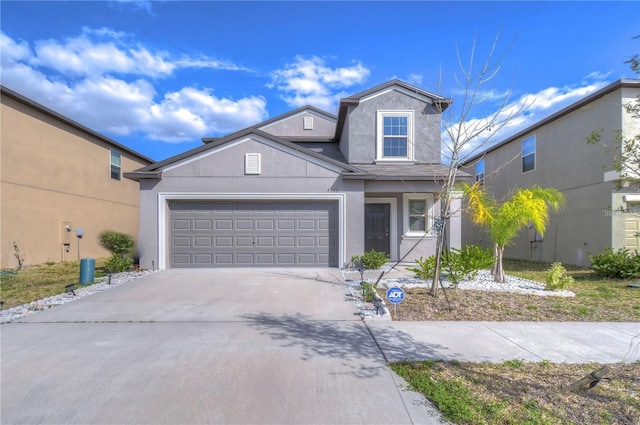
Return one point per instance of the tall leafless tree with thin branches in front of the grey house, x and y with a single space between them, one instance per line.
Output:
465 134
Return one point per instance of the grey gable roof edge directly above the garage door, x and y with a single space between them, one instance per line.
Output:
154 171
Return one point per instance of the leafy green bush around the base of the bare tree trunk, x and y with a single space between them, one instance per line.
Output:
457 264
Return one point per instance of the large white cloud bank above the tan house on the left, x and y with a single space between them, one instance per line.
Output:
111 86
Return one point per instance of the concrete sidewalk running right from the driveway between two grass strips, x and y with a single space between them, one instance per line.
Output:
558 342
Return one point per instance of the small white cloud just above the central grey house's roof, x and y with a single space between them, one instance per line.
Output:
311 81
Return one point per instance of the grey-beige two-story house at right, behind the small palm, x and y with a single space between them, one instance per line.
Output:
554 154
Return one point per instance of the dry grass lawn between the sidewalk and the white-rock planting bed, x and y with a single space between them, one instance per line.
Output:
596 300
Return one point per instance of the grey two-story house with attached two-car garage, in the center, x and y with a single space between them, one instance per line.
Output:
306 188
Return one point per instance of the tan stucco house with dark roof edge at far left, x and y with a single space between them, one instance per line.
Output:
60 180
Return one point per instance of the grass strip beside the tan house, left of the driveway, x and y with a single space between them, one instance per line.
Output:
36 282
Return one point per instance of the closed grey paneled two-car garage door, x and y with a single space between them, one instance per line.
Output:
232 233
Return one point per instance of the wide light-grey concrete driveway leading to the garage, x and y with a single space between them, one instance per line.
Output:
224 346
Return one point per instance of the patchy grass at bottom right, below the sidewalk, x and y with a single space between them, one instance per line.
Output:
516 392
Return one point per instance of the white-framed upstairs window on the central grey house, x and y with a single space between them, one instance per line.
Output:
395 135
